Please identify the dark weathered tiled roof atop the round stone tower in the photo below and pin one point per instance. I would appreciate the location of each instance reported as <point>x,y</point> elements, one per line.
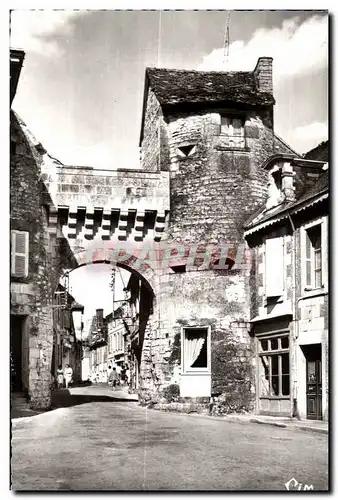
<point>173,86</point>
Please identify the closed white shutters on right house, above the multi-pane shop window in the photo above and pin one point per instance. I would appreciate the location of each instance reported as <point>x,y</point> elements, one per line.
<point>274,267</point>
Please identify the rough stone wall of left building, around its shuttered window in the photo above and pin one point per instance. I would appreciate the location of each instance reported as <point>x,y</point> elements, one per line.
<point>32,296</point>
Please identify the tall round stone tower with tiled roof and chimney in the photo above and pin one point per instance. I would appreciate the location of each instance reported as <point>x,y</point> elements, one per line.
<point>211,131</point>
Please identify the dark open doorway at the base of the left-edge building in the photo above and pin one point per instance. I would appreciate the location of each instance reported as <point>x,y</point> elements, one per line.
<point>16,327</point>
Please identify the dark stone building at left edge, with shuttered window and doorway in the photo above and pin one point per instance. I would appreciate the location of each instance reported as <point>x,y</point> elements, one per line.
<point>39,253</point>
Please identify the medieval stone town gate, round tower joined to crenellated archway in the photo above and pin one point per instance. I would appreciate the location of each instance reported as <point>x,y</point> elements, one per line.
<point>201,179</point>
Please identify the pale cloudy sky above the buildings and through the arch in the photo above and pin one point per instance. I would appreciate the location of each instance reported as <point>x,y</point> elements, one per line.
<point>81,87</point>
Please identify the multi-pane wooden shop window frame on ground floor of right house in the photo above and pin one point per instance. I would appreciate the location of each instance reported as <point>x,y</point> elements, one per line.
<point>277,353</point>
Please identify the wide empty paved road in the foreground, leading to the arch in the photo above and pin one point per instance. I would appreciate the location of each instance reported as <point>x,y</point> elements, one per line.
<point>101,443</point>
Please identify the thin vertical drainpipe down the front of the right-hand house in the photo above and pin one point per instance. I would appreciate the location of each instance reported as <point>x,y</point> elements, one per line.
<point>295,412</point>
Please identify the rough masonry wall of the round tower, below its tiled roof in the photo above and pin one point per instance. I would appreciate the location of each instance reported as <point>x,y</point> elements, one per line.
<point>213,190</point>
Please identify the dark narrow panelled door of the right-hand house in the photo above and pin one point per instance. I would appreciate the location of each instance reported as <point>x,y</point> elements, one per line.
<point>314,382</point>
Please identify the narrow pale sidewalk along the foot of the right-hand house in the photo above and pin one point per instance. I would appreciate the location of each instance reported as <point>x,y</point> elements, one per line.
<point>303,425</point>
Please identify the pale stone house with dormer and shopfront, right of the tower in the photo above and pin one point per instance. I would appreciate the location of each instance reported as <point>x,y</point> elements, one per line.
<point>289,307</point>
